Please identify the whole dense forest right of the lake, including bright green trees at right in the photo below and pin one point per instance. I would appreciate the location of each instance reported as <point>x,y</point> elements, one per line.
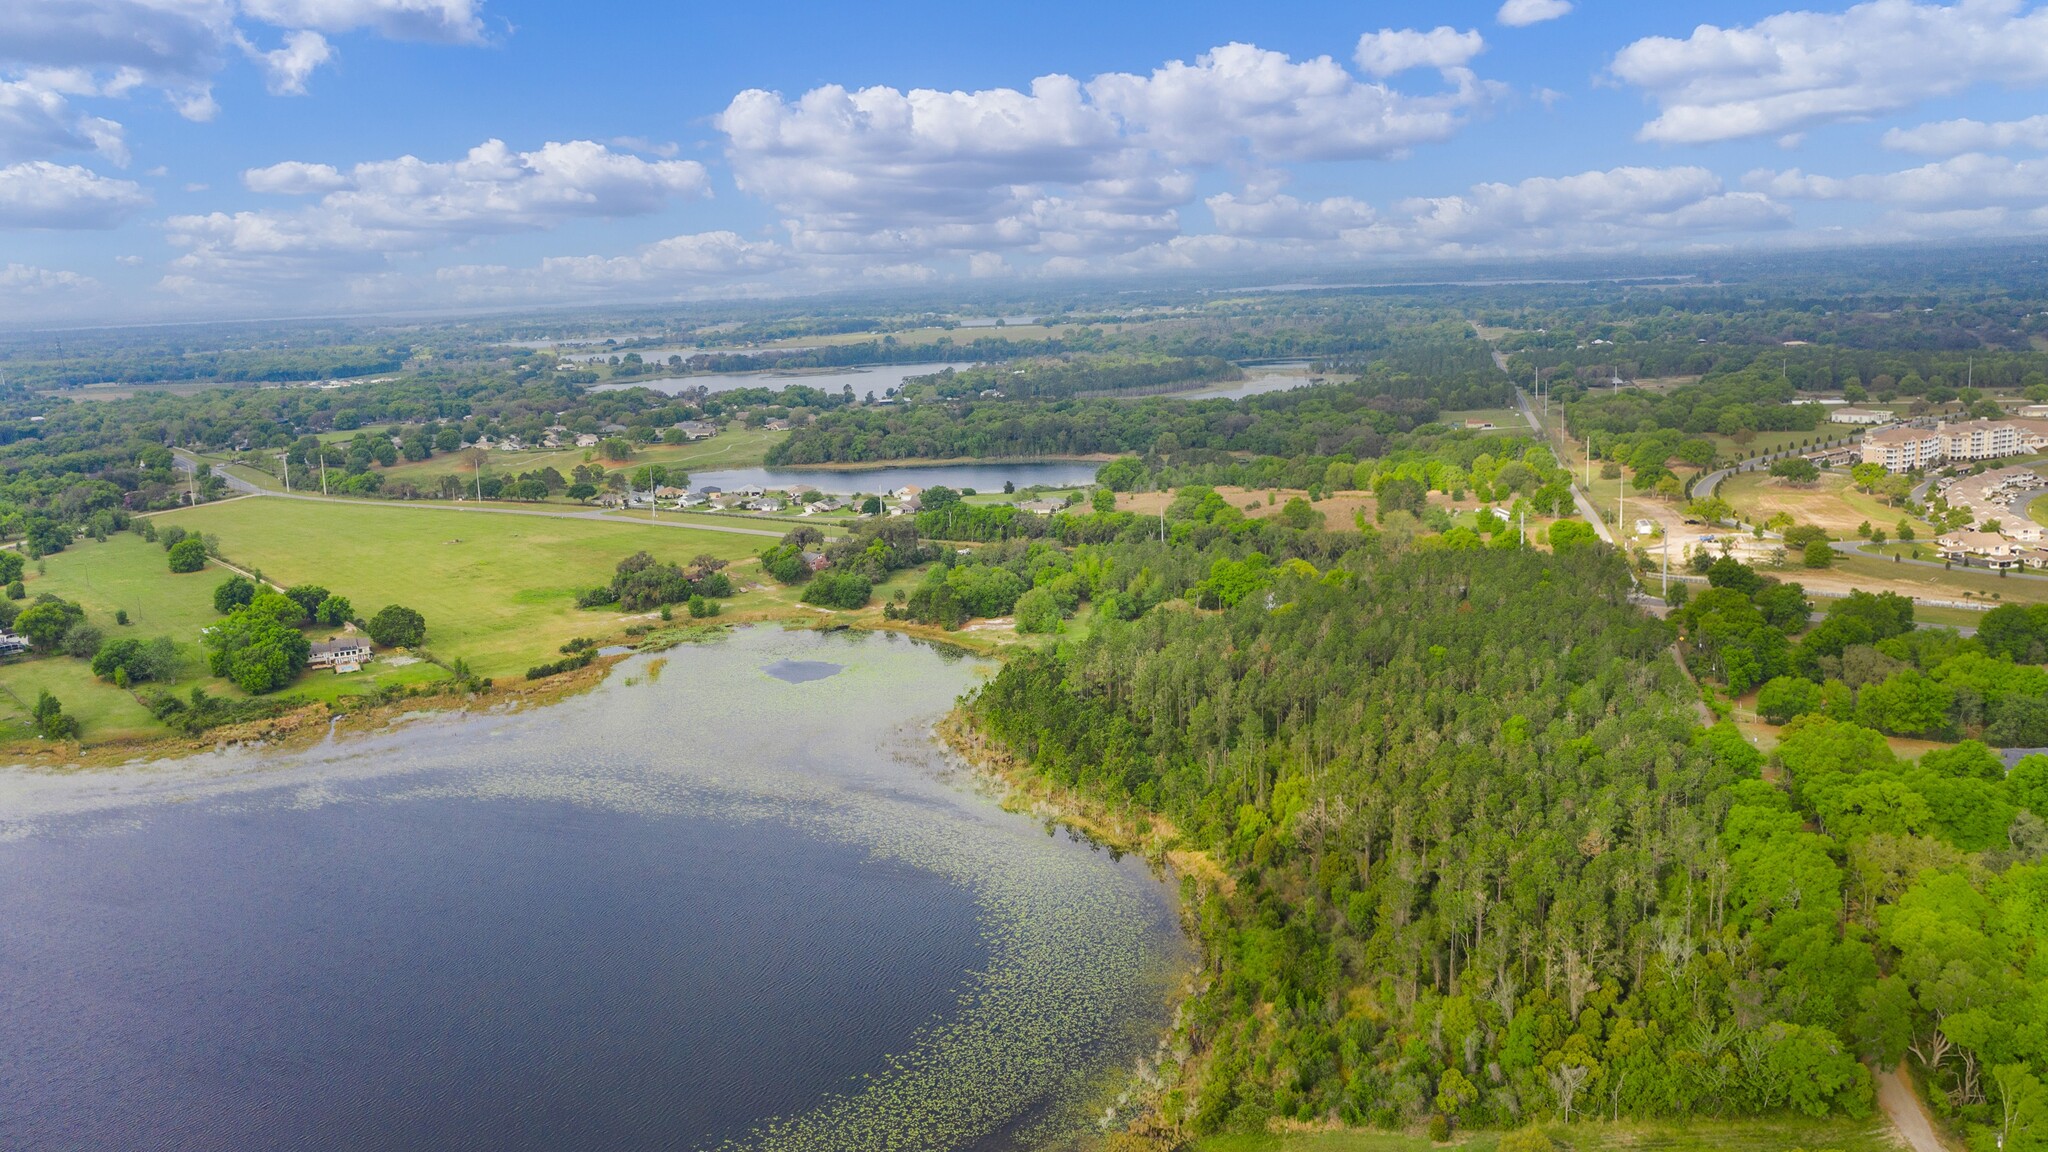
<point>1490,868</point>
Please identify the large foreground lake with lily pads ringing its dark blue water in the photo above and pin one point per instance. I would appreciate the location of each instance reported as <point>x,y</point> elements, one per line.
<point>734,899</point>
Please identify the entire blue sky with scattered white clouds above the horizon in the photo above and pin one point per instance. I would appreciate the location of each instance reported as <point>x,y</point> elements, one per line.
<point>169,159</point>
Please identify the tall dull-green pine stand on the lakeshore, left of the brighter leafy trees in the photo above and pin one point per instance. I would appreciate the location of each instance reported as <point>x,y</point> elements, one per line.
<point>1478,839</point>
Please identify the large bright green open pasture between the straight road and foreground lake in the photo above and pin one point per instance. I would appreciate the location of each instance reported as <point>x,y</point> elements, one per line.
<point>497,589</point>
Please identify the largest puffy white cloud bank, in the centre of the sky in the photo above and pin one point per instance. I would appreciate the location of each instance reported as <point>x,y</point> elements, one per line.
<point>1068,165</point>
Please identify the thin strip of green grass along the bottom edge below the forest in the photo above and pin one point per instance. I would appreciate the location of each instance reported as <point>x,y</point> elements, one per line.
<point>1701,1137</point>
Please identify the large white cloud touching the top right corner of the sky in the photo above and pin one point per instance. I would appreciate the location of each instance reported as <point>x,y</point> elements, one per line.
<point>1797,71</point>
